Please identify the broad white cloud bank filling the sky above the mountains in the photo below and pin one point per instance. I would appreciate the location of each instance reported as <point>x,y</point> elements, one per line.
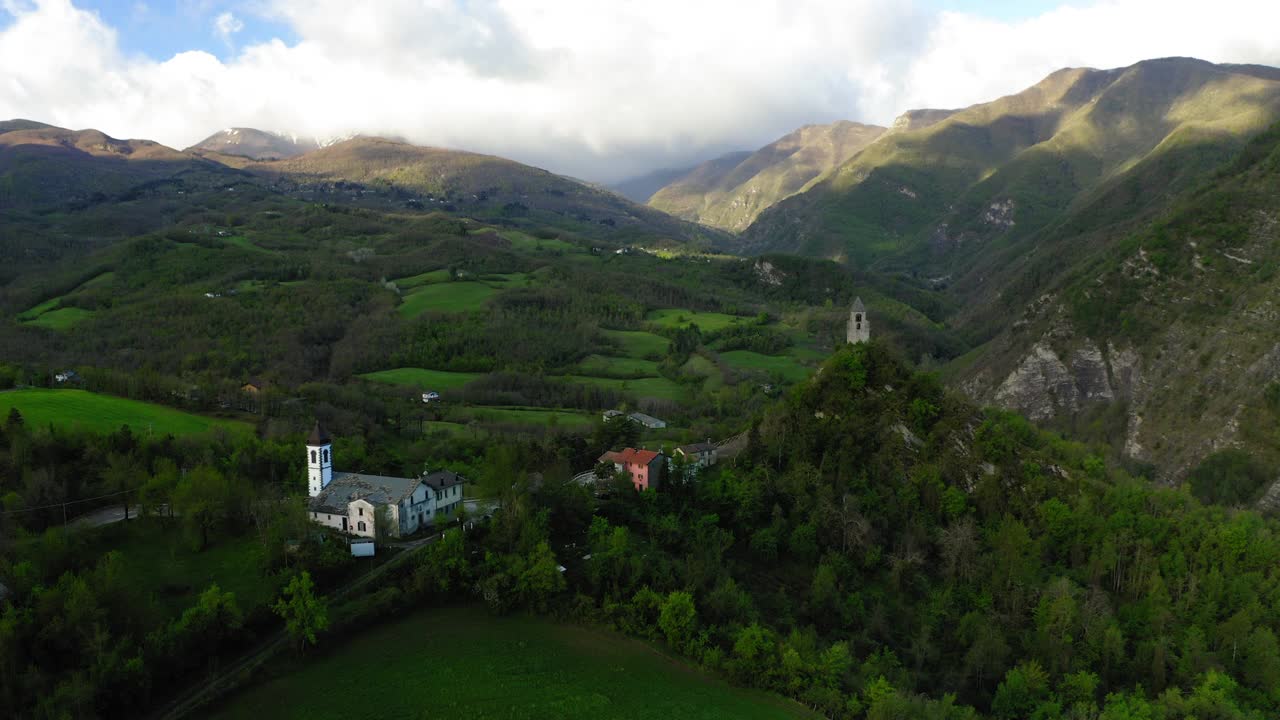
<point>591,88</point>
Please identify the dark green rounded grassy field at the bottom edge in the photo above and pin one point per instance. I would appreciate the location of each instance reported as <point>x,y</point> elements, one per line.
<point>465,664</point>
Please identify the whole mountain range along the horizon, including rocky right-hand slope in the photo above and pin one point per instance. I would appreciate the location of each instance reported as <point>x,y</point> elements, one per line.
<point>1096,252</point>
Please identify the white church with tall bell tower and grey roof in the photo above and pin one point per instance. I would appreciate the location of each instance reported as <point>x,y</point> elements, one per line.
<point>359,503</point>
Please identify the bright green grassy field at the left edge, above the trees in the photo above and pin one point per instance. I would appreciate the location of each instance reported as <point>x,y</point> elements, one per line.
<point>106,413</point>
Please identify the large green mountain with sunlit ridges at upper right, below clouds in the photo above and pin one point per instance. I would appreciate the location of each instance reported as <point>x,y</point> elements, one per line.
<point>930,198</point>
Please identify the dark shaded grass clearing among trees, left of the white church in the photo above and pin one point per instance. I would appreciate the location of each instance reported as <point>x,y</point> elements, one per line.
<point>161,563</point>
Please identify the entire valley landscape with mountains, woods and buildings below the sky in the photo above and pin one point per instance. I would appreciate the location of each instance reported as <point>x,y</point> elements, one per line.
<point>973,416</point>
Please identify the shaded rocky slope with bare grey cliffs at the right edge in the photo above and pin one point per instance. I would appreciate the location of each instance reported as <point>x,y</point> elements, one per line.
<point>1163,341</point>
